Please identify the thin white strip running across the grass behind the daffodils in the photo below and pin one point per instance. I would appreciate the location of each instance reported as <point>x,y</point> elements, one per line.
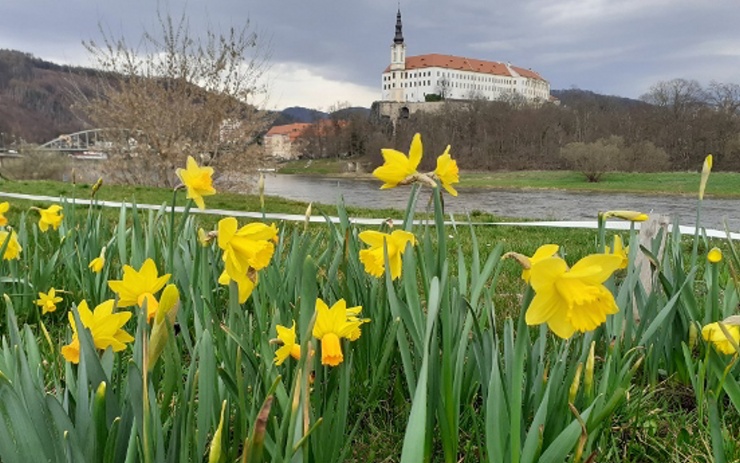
<point>588,224</point>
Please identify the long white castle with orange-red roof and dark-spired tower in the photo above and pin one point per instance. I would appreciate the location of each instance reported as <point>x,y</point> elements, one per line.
<point>412,78</point>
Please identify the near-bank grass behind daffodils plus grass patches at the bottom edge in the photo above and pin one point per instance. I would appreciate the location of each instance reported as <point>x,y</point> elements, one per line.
<point>654,424</point>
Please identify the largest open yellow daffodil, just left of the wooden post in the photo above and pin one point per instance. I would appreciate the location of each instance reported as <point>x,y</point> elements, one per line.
<point>575,299</point>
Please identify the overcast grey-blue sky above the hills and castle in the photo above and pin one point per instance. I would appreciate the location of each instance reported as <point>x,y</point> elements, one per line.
<point>324,52</point>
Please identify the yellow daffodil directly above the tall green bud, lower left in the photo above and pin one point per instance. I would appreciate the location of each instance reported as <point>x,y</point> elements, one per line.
<point>139,286</point>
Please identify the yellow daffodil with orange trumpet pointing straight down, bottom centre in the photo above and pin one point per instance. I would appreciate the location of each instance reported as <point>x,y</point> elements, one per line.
<point>330,327</point>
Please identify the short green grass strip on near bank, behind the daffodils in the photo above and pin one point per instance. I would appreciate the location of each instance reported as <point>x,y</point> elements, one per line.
<point>574,243</point>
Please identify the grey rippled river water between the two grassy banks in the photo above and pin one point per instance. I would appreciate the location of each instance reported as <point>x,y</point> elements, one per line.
<point>523,204</point>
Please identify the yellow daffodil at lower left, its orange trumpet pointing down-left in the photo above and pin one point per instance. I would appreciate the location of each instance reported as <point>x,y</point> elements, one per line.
<point>106,329</point>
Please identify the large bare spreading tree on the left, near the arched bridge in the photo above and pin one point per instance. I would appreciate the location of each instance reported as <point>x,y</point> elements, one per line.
<point>178,94</point>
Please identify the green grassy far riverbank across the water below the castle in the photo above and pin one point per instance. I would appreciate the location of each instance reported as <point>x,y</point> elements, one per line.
<point>721,184</point>
